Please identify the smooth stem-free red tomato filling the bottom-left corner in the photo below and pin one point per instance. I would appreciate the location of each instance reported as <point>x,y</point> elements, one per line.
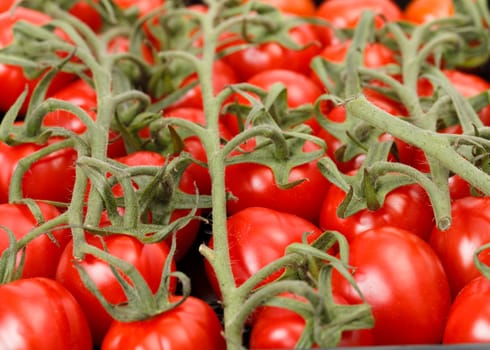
<point>40,312</point>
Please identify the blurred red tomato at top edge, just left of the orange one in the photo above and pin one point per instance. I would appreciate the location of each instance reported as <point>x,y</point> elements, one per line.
<point>346,14</point>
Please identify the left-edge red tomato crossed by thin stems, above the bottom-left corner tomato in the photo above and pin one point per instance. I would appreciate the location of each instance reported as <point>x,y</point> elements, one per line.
<point>42,254</point>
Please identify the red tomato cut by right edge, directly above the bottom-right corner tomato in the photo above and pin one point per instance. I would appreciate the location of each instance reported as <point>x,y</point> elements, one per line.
<point>469,230</point>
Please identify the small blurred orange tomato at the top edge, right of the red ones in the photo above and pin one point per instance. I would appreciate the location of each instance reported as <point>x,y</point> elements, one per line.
<point>420,11</point>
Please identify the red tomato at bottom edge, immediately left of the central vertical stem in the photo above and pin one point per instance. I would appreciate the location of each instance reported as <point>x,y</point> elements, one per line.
<point>191,325</point>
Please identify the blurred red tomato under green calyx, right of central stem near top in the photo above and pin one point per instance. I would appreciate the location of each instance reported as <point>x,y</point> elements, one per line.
<point>271,55</point>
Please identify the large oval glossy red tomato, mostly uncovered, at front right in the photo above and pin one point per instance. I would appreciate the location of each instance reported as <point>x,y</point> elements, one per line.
<point>403,280</point>
